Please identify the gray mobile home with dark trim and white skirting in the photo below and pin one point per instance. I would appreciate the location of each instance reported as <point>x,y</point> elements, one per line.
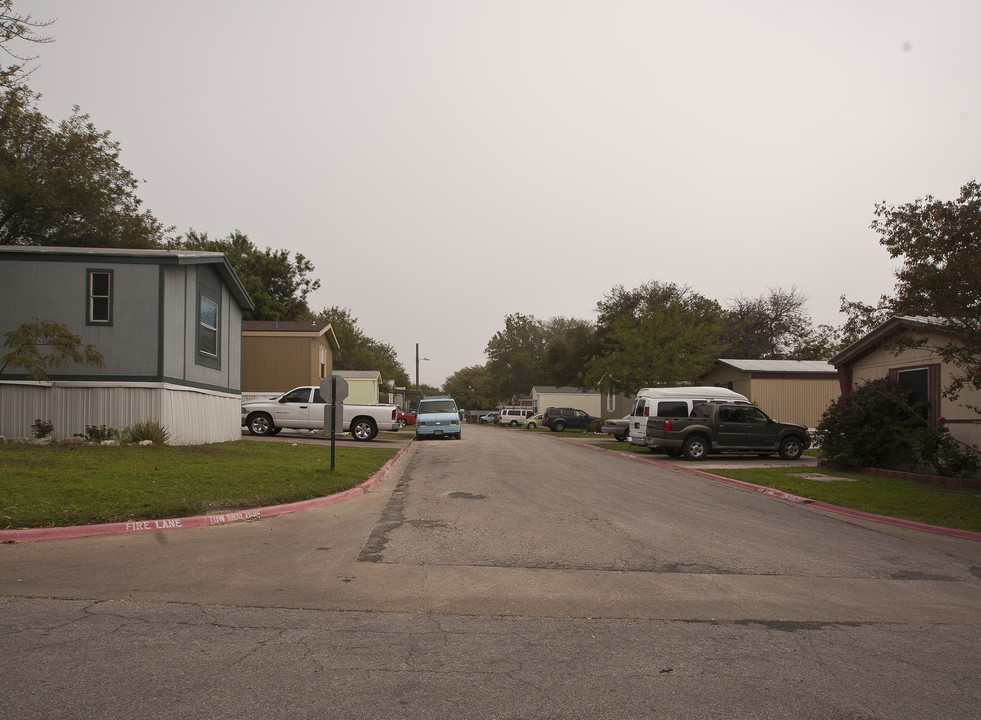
<point>168,324</point>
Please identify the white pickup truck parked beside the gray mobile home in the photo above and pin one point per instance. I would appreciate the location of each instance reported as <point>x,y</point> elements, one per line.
<point>303,407</point>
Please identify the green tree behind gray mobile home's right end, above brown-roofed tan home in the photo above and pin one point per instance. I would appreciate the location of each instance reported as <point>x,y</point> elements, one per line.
<point>278,284</point>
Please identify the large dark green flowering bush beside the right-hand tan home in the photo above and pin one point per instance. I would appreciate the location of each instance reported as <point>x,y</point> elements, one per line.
<point>876,425</point>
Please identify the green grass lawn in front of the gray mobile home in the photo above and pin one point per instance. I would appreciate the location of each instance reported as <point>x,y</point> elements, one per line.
<point>61,485</point>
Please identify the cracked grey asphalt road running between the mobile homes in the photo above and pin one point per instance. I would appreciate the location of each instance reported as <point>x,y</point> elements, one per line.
<point>507,575</point>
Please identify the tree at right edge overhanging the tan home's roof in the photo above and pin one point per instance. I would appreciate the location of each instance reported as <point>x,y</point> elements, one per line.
<point>939,243</point>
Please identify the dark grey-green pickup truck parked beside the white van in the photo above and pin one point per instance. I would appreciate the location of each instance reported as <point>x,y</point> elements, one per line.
<point>726,427</point>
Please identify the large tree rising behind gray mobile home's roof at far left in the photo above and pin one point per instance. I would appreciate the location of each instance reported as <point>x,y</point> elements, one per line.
<point>65,185</point>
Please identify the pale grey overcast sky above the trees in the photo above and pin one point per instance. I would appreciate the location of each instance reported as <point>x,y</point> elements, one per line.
<point>444,163</point>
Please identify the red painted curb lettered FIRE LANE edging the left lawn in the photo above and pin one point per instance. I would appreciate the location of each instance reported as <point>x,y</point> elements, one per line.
<point>64,533</point>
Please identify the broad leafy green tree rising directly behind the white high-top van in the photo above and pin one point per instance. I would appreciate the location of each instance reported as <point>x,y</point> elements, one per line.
<point>656,334</point>
